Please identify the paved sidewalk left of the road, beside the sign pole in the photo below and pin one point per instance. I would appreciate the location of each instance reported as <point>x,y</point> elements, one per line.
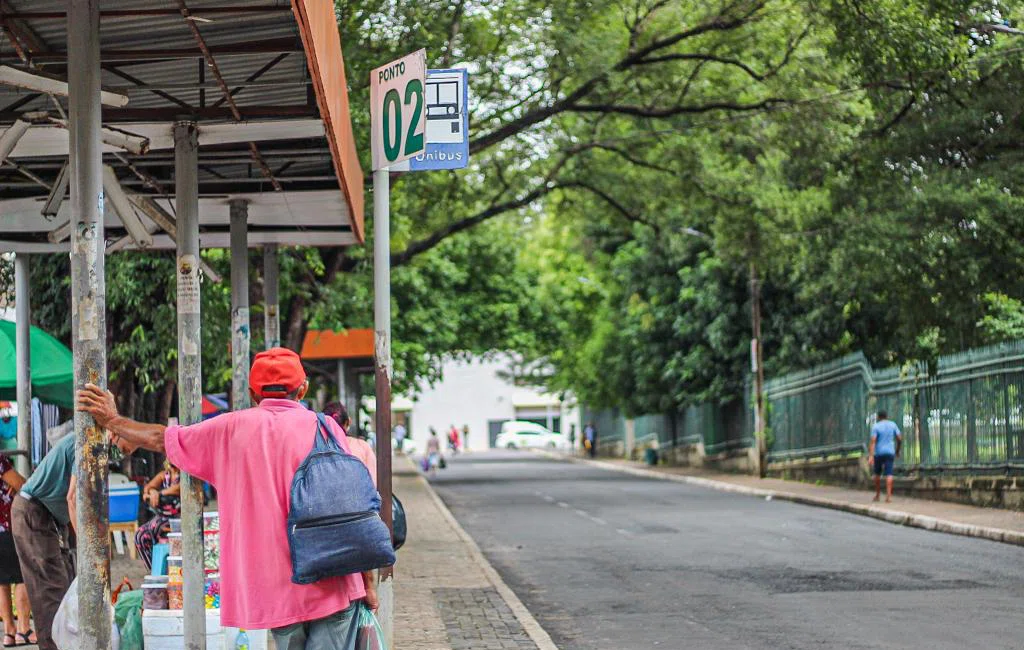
<point>447,595</point>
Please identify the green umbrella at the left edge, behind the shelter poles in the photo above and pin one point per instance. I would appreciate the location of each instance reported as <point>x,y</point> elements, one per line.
<point>53,367</point>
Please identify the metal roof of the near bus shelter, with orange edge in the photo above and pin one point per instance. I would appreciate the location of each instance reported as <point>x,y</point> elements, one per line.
<point>280,138</point>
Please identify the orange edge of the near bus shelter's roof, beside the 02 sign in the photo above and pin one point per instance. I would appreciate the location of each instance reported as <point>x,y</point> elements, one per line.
<point>321,40</point>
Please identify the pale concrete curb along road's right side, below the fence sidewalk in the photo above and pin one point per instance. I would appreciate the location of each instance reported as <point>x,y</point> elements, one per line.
<point>897,517</point>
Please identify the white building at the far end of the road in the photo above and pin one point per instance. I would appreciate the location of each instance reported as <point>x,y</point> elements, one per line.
<point>478,394</point>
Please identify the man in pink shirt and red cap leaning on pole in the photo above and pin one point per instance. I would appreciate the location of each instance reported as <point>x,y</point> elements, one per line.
<point>251,457</point>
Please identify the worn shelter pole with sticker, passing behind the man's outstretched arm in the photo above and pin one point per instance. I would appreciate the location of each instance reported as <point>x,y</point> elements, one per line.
<point>190,373</point>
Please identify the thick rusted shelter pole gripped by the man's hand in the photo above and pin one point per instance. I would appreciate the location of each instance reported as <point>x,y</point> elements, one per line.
<point>89,320</point>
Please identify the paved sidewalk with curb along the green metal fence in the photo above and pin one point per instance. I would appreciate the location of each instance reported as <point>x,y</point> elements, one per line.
<point>989,524</point>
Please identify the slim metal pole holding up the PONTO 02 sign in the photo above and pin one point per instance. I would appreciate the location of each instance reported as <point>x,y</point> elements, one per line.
<point>382,376</point>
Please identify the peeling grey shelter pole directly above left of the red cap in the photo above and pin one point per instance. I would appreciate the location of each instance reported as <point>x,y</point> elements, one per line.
<point>240,305</point>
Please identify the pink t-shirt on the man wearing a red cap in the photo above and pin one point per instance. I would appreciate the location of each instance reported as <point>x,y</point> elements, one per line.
<point>251,457</point>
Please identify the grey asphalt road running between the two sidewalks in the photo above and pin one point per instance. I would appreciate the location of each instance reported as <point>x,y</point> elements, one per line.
<point>610,561</point>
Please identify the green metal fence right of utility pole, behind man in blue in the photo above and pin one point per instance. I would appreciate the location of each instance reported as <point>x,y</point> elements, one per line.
<point>968,414</point>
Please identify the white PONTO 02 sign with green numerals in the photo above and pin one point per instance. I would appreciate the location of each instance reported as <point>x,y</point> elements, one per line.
<point>398,110</point>
